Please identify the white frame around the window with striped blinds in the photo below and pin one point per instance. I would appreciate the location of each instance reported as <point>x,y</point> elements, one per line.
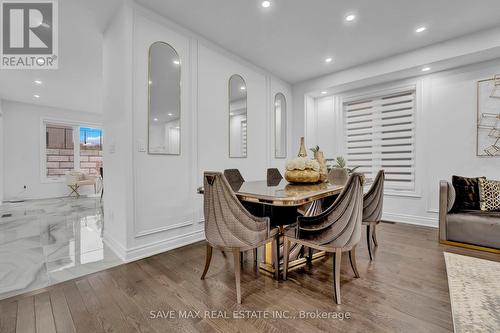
<point>382,90</point>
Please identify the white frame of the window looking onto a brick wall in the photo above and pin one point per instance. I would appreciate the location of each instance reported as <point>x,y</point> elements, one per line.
<point>76,125</point>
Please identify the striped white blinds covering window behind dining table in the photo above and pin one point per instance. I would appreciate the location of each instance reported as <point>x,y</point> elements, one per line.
<point>380,134</point>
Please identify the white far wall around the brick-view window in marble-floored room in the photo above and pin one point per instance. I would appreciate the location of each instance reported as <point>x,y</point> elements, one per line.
<point>23,133</point>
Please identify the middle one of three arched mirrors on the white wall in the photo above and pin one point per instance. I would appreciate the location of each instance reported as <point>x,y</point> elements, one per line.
<point>237,117</point>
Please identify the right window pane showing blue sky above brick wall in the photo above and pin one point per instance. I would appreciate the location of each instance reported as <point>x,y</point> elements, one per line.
<point>90,150</point>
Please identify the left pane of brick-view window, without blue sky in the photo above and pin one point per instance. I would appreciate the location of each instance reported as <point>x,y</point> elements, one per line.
<point>60,150</point>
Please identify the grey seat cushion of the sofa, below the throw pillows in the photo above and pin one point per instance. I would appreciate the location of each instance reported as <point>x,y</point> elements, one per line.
<point>474,227</point>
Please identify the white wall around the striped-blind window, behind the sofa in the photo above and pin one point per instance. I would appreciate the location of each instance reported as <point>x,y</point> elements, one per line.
<point>445,134</point>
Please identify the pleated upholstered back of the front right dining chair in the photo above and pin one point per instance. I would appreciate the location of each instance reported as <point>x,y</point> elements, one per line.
<point>339,225</point>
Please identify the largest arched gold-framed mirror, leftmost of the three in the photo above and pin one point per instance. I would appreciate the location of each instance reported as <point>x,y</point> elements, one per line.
<point>164,112</point>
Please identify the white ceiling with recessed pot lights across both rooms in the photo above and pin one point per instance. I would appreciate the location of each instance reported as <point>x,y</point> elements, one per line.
<point>290,39</point>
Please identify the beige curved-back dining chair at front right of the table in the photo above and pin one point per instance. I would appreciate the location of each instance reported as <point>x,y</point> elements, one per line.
<point>336,230</point>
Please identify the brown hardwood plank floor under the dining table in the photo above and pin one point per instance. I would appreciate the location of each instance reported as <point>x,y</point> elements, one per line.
<point>404,289</point>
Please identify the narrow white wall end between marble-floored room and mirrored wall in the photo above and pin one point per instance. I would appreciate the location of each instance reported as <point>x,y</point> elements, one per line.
<point>118,133</point>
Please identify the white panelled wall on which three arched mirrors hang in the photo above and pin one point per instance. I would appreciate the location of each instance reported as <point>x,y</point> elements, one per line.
<point>162,208</point>
